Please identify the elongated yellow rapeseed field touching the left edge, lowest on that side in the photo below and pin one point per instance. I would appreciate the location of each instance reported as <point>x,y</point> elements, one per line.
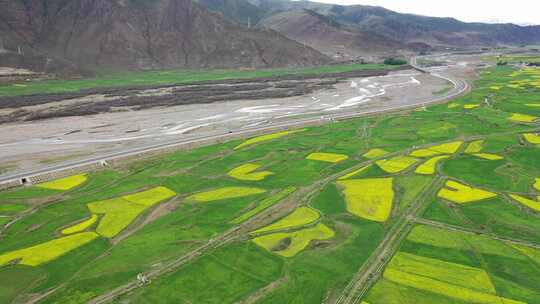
<point>48,251</point>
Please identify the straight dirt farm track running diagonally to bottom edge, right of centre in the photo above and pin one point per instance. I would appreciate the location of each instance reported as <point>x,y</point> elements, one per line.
<point>372,268</point>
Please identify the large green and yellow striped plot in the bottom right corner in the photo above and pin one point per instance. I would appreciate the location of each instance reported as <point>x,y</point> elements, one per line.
<point>444,274</point>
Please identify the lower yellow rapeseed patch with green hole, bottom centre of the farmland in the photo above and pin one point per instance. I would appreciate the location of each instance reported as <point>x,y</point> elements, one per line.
<point>299,240</point>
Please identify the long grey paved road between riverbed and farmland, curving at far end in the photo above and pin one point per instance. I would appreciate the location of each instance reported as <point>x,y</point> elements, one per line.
<point>460,87</point>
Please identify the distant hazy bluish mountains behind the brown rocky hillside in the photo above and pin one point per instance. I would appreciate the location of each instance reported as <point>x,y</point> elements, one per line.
<point>367,25</point>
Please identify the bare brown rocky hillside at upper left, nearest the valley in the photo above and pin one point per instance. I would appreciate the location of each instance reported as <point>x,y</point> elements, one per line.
<point>138,34</point>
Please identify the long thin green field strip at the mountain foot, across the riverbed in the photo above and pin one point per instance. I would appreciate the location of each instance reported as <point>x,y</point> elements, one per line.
<point>167,77</point>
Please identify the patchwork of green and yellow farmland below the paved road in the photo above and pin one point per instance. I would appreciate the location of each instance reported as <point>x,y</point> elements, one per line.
<point>436,205</point>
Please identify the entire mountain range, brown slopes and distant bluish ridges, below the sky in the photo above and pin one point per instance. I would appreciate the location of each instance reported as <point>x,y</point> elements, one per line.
<point>94,35</point>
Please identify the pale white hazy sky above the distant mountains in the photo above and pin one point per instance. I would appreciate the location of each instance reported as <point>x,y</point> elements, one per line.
<point>516,11</point>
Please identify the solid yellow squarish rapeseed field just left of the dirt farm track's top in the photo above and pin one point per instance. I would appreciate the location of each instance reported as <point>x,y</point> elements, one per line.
<point>369,198</point>
